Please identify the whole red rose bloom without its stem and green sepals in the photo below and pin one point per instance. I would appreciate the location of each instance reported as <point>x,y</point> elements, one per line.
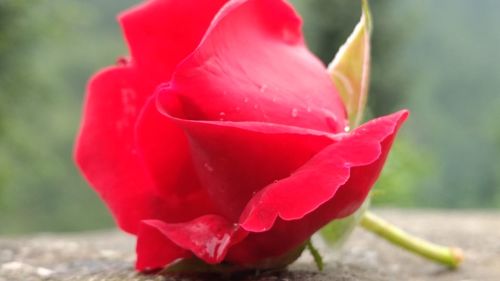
<point>222,137</point>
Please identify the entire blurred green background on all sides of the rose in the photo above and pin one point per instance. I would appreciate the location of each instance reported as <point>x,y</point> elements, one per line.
<point>439,58</point>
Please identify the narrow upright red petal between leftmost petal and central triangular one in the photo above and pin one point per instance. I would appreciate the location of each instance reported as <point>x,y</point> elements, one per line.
<point>164,148</point>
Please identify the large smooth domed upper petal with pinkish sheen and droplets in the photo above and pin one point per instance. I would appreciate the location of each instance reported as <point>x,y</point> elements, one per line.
<point>252,65</point>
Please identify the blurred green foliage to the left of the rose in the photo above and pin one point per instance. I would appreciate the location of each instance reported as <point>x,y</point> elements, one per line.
<point>48,49</point>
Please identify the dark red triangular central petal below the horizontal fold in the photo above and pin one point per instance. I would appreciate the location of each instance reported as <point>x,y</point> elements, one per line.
<point>234,160</point>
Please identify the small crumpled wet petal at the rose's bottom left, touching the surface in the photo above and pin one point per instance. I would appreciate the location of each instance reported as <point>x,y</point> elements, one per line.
<point>208,237</point>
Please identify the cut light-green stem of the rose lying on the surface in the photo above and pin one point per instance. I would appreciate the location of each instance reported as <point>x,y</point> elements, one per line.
<point>448,256</point>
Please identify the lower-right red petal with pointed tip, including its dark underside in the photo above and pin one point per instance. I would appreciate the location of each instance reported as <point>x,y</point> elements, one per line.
<point>333,184</point>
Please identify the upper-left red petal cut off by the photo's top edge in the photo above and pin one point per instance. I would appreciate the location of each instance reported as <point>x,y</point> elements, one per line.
<point>160,35</point>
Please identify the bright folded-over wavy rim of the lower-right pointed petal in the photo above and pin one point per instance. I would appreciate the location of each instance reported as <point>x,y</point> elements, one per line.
<point>359,148</point>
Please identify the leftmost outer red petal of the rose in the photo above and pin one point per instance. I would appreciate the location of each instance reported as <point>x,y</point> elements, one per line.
<point>105,150</point>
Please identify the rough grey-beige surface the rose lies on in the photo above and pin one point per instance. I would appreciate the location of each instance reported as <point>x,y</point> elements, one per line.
<point>109,255</point>
